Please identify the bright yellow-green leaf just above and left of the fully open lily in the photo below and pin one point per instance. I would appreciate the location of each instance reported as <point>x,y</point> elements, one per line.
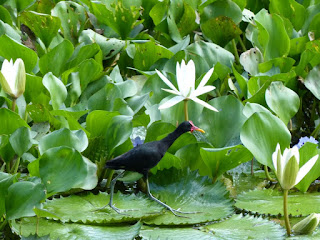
<point>148,53</point>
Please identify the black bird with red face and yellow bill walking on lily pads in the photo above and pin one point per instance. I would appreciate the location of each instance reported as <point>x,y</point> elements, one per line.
<point>144,157</point>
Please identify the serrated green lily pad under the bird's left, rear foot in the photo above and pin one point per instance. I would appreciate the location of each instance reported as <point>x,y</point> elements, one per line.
<point>86,209</point>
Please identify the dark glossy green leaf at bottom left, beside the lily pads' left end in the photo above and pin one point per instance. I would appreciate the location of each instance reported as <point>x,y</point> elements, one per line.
<point>22,198</point>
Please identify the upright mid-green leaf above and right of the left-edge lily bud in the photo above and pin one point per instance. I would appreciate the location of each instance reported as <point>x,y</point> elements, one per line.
<point>54,61</point>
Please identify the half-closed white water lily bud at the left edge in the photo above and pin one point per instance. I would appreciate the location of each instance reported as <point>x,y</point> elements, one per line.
<point>13,77</point>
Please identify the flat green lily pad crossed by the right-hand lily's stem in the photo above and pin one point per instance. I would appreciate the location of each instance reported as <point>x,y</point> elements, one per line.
<point>270,201</point>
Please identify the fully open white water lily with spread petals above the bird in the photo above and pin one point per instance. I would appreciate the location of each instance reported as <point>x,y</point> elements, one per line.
<point>186,84</point>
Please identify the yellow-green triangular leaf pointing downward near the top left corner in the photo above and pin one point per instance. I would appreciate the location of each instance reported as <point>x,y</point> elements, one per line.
<point>44,26</point>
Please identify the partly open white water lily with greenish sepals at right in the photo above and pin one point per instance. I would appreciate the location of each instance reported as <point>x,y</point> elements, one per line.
<point>287,167</point>
